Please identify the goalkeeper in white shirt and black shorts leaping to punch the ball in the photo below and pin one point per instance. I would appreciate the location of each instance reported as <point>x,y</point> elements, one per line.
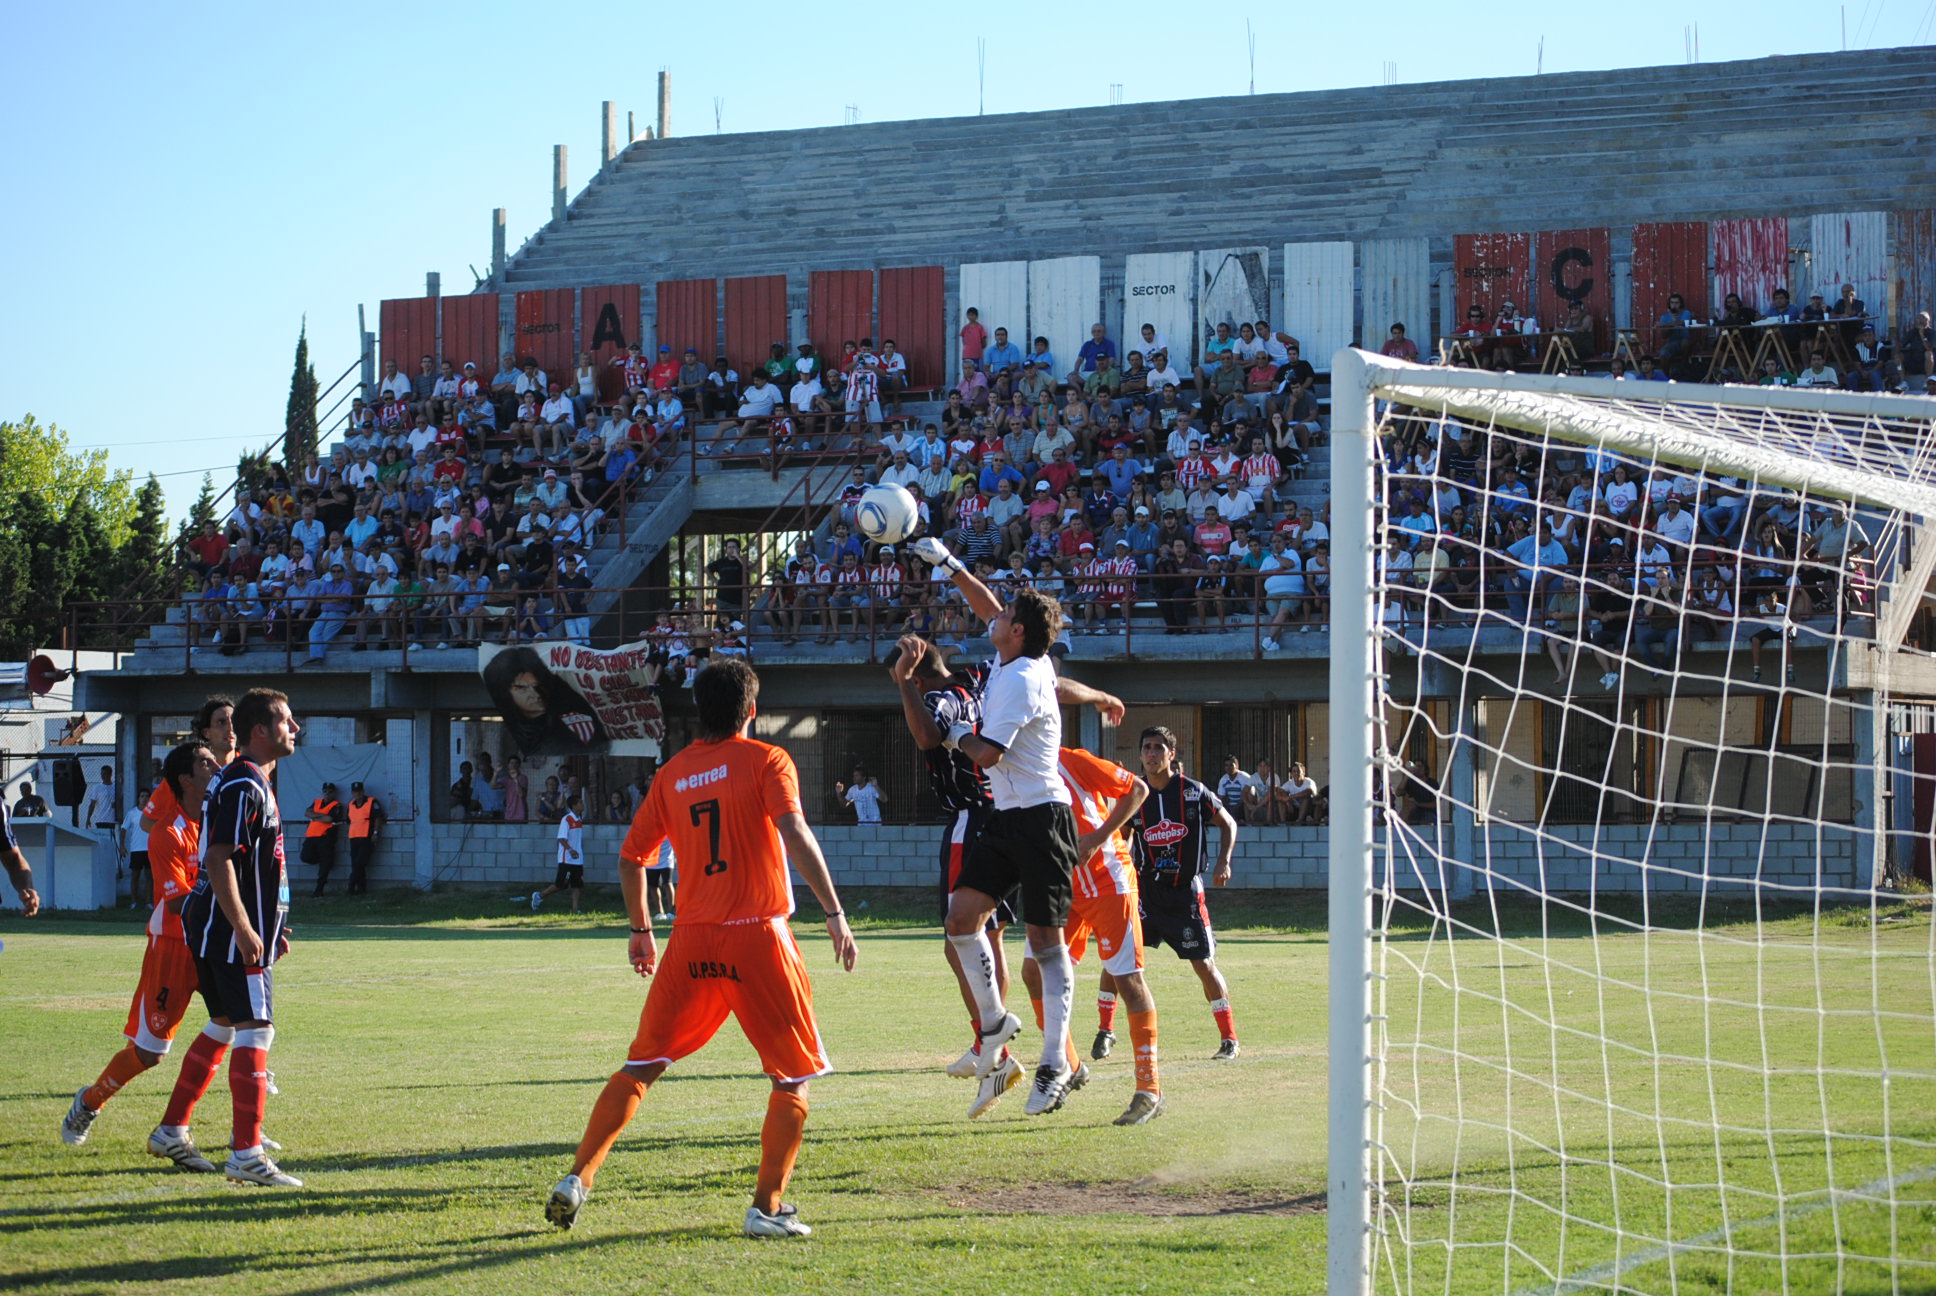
<point>1031,836</point>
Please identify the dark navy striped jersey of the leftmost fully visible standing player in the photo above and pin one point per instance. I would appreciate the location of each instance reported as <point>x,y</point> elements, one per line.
<point>241,813</point>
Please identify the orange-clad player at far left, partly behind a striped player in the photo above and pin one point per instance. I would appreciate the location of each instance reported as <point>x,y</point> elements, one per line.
<point>167,972</point>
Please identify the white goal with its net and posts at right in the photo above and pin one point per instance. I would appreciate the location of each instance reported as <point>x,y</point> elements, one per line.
<point>1633,968</point>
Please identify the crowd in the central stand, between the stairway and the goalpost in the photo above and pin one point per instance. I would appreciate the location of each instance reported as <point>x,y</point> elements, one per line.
<point>1114,483</point>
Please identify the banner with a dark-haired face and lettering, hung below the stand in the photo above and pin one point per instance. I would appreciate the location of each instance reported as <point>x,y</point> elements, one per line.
<point>562,700</point>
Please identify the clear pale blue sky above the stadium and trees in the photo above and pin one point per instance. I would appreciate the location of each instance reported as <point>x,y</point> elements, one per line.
<point>187,187</point>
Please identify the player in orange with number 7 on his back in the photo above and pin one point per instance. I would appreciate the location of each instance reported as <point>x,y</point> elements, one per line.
<point>733,813</point>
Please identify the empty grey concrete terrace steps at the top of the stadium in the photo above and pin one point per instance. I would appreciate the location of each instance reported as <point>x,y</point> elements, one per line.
<point>1377,162</point>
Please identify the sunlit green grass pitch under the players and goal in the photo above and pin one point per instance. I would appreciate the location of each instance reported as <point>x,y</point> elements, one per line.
<point>439,1057</point>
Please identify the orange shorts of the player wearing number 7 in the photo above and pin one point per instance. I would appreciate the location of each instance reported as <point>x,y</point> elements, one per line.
<point>752,972</point>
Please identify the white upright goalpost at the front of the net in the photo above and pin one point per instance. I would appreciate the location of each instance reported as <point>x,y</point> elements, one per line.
<point>1354,667</point>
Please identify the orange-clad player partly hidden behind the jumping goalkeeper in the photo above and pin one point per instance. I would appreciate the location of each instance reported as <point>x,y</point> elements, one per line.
<point>1106,799</point>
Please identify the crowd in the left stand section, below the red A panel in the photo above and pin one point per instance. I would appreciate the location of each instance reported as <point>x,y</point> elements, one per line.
<point>454,510</point>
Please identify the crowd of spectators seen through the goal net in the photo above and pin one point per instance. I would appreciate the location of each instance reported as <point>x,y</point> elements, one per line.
<point>1600,553</point>
